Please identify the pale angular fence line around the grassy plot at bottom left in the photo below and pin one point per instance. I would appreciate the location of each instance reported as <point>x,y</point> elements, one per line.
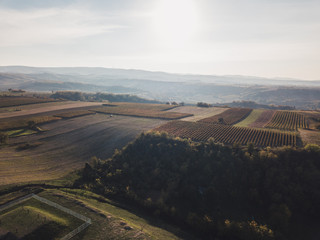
<point>55,205</point>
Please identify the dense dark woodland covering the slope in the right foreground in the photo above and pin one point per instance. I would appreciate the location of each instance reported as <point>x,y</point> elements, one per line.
<point>216,191</point>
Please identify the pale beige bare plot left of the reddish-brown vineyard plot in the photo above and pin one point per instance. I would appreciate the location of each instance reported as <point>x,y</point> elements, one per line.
<point>198,112</point>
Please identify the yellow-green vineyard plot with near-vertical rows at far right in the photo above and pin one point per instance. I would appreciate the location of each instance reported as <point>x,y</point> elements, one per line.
<point>287,120</point>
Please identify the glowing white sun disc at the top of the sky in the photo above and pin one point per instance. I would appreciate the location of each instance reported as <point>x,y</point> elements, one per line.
<point>175,21</point>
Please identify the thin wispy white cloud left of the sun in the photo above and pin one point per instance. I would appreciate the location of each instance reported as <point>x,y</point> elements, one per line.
<point>50,26</point>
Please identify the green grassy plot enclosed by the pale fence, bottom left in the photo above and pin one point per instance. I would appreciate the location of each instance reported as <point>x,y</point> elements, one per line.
<point>33,219</point>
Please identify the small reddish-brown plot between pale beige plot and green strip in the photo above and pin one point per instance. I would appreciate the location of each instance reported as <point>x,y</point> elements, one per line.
<point>229,117</point>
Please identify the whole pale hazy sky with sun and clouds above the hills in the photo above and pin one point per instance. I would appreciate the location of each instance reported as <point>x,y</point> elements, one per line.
<point>266,38</point>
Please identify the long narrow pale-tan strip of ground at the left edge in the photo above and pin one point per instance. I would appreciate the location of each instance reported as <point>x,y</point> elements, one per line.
<point>48,109</point>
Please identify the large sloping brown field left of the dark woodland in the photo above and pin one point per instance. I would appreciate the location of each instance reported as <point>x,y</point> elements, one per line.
<point>67,145</point>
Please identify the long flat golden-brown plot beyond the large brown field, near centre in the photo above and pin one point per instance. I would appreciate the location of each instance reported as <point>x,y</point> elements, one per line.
<point>142,110</point>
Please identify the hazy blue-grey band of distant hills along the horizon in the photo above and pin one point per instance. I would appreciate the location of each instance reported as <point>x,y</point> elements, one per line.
<point>165,86</point>
